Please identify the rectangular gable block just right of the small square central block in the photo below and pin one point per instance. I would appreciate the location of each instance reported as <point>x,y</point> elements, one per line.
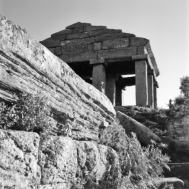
<point>115,44</point>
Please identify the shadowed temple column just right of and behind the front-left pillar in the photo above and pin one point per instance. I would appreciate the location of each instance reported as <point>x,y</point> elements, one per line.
<point>111,89</point>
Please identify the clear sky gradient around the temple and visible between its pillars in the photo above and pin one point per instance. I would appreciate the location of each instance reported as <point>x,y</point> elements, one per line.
<point>164,22</point>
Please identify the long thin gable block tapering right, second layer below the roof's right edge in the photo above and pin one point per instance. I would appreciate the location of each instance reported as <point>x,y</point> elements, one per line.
<point>112,36</point>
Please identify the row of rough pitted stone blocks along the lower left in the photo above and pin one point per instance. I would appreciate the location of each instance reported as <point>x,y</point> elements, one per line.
<point>28,161</point>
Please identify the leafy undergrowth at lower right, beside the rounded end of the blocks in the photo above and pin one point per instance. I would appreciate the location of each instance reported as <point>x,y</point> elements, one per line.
<point>139,165</point>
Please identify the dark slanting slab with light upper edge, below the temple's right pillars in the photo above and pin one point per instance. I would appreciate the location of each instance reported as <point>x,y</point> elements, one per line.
<point>143,134</point>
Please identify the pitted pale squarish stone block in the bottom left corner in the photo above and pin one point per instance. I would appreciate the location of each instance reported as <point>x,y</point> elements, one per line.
<point>19,167</point>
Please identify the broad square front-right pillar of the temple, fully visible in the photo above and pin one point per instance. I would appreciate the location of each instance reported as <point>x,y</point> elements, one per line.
<point>141,83</point>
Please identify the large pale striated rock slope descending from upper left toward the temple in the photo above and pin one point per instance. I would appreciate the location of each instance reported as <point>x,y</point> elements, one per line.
<point>27,66</point>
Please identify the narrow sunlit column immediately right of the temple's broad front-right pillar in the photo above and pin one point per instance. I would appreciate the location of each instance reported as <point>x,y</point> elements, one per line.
<point>151,90</point>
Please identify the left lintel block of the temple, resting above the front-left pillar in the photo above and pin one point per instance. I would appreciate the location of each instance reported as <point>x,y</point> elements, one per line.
<point>79,57</point>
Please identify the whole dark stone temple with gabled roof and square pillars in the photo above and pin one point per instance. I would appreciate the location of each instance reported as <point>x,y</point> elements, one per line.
<point>103,56</point>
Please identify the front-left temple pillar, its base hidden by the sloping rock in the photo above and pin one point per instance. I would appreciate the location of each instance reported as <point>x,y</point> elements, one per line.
<point>99,77</point>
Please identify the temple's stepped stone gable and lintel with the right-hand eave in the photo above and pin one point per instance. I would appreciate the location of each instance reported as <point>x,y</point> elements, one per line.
<point>81,42</point>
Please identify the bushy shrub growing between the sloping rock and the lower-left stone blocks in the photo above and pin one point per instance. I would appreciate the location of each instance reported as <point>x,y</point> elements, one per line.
<point>29,113</point>
